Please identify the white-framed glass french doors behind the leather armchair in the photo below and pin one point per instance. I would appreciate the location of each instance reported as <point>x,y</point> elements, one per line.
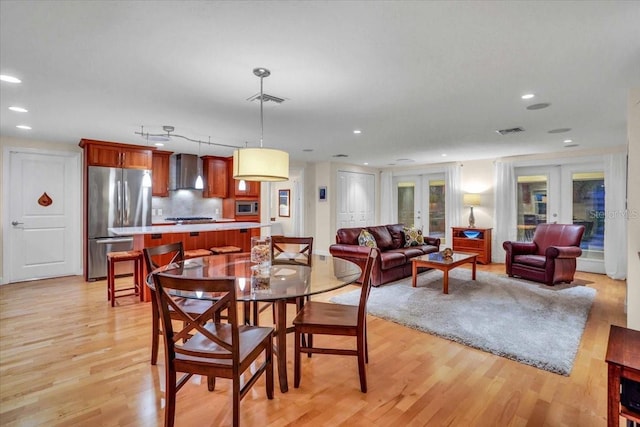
<point>568,194</point>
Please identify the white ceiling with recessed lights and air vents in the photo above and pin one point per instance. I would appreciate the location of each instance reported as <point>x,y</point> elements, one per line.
<point>420,79</point>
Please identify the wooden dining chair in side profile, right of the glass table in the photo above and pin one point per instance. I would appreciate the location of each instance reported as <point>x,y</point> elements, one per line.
<point>335,319</point>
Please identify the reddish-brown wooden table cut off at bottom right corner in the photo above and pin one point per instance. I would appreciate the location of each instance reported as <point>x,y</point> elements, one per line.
<point>623,360</point>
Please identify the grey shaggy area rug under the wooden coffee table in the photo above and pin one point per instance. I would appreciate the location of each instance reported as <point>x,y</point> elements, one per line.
<point>524,321</point>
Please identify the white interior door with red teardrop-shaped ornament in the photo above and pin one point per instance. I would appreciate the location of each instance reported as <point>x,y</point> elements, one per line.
<point>43,223</point>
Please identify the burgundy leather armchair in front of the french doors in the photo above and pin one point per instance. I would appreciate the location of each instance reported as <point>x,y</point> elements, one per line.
<point>550,258</point>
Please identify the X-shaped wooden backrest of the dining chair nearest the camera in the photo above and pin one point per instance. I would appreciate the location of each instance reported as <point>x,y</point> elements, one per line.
<point>222,341</point>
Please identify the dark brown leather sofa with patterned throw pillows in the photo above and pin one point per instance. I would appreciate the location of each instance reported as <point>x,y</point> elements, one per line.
<point>394,261</point>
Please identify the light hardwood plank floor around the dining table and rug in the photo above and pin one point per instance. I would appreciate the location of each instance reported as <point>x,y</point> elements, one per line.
<point>68,359</point>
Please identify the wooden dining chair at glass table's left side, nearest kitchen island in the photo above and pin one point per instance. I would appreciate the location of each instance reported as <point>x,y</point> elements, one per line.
<point>155,257</point>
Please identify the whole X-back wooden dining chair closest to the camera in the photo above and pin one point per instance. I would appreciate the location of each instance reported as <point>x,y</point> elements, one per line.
<point>212,349</point>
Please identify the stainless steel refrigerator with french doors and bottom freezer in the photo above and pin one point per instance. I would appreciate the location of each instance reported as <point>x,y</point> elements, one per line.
<point>115,198</point>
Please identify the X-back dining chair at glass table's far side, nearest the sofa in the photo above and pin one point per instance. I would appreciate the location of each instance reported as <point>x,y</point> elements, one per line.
<point>287,250</point>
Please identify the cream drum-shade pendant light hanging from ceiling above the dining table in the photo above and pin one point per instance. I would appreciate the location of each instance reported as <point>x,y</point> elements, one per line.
<point>261,164</point>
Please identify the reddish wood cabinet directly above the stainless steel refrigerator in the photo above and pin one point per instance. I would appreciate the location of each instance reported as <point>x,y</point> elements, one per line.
<point>112,154</point>
